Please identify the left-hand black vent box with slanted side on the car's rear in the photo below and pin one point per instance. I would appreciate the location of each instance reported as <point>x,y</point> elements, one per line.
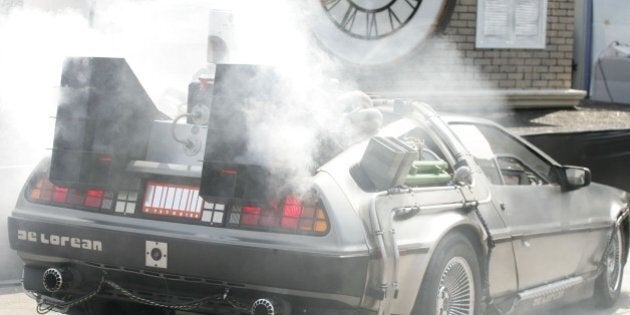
<point>103,119</point>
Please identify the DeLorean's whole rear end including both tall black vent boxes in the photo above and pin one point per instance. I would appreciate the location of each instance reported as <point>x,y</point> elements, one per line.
<point>180,216</point>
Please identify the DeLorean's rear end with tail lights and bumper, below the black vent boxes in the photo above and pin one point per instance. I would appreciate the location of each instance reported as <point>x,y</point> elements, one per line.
<point>155,241</point>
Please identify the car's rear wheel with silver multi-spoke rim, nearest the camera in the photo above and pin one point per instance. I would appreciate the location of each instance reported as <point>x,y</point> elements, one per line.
<point>454,259</point>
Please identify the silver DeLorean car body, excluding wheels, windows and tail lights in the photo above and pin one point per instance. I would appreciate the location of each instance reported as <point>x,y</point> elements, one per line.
<point>545,243</point>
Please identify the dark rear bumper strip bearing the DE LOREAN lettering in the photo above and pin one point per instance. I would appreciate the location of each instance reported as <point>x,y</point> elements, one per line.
<point>222,262</point>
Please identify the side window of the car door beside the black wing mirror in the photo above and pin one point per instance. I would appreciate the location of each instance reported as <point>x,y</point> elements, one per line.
<point>503,158</point>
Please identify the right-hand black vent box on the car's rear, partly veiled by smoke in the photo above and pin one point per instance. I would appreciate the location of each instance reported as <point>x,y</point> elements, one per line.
<point>228,170</point>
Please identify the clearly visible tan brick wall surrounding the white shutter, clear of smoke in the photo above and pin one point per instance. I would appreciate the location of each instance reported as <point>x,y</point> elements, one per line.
<point>520,68</point>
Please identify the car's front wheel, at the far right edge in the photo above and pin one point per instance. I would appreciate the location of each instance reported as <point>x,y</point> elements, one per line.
<point>608,284</point>
